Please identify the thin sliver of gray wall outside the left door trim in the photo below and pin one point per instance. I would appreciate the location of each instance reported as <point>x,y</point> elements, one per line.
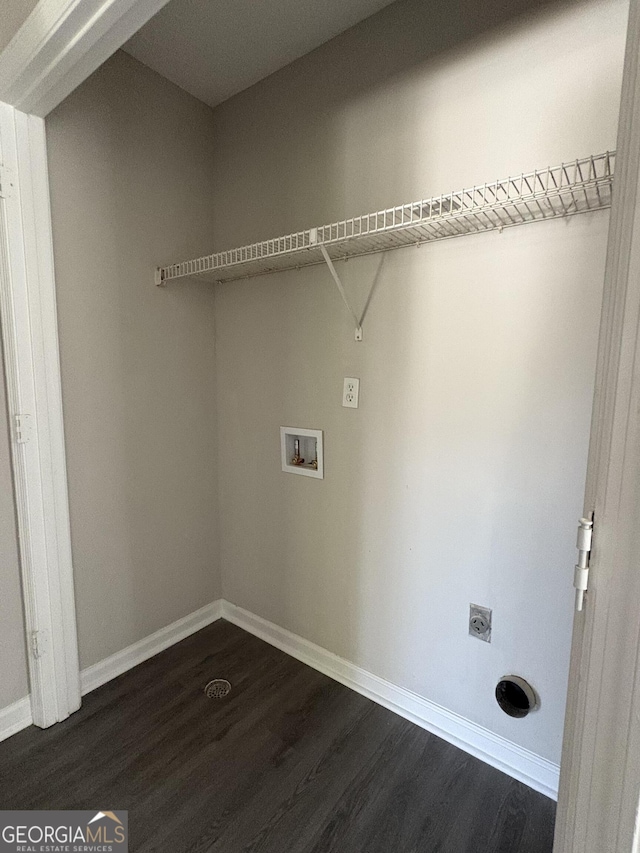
<point>14,683</point>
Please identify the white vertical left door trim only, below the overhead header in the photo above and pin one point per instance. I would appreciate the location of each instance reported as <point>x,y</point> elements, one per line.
<point>30,340</point>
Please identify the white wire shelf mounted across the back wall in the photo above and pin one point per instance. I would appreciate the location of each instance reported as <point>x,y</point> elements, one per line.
<point>580,186</point>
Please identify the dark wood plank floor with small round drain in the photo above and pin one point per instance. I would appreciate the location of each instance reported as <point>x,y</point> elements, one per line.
<point>289,762</point>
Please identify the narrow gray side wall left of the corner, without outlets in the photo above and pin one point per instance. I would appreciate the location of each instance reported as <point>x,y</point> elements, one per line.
<point>131,176</point>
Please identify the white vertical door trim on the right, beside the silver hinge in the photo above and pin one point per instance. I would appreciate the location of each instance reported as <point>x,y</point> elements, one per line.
<point>600,772</point>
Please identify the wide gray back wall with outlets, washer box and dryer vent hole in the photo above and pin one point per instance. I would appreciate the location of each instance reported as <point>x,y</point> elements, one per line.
<point>460,477</point>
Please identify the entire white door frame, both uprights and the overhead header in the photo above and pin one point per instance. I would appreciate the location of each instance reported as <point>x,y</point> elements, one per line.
<point>60,45</point>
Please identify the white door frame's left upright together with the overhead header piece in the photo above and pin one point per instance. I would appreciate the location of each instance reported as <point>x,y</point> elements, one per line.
<point>60,44</point>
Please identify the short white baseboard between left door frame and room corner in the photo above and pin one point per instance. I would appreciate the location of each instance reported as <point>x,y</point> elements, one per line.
<point>113,666</point>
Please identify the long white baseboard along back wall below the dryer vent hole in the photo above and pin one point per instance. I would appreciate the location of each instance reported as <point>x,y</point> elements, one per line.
<point>536,772</point>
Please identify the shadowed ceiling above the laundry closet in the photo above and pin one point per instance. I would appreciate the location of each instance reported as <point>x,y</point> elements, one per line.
<point>216,48</point>
